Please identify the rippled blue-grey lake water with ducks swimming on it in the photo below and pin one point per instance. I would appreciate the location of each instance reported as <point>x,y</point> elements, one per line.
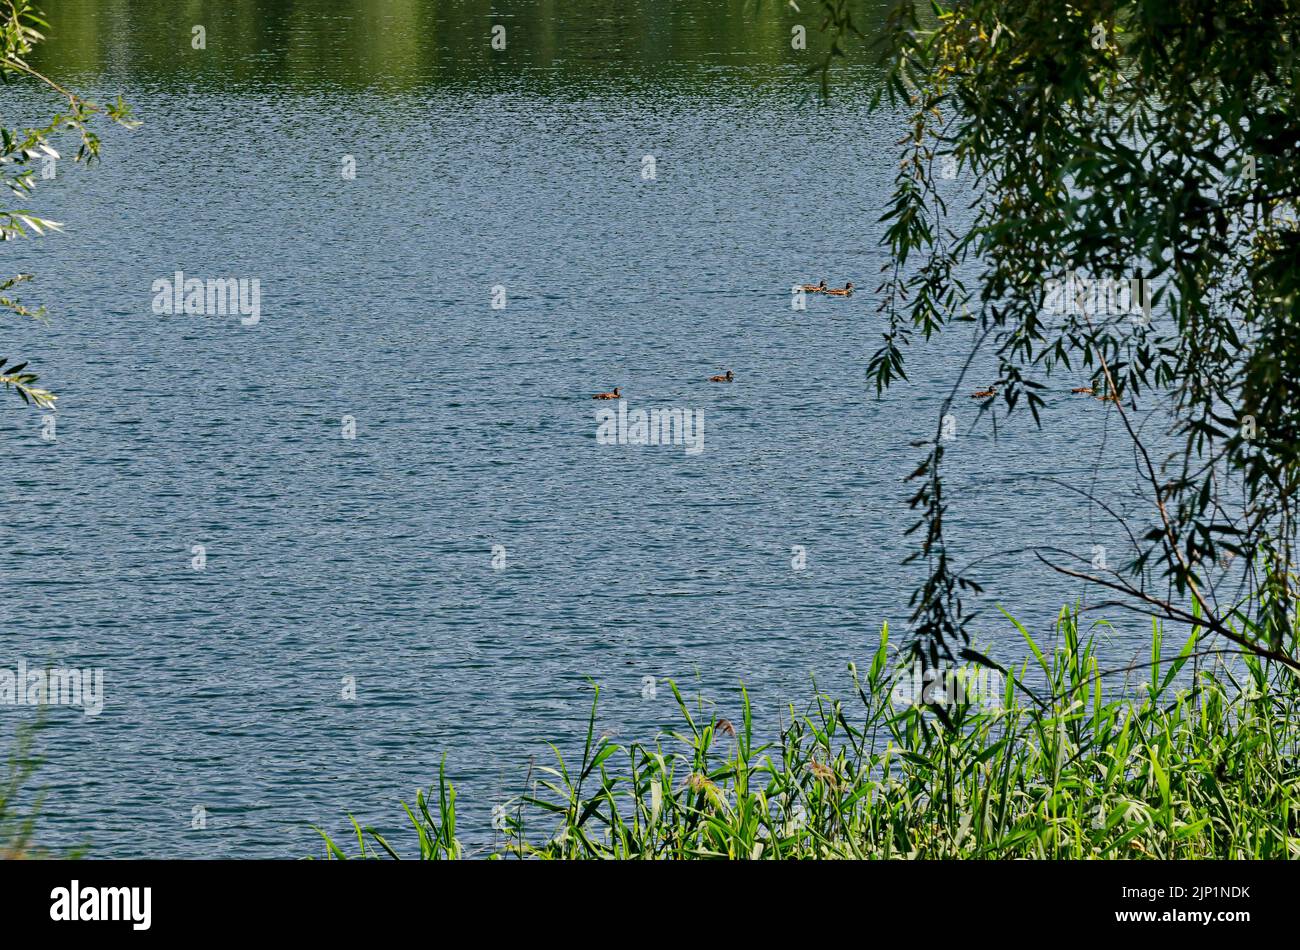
<point>333,561</point>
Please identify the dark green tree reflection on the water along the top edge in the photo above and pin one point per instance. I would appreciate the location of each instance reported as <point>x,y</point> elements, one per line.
<point>422,44</point>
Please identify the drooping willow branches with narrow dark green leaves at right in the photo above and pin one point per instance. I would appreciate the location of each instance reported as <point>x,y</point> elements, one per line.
<point>1119,141</point>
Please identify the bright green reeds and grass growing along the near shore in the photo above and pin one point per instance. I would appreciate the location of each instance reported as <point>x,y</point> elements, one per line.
<point>1193,764</point>
